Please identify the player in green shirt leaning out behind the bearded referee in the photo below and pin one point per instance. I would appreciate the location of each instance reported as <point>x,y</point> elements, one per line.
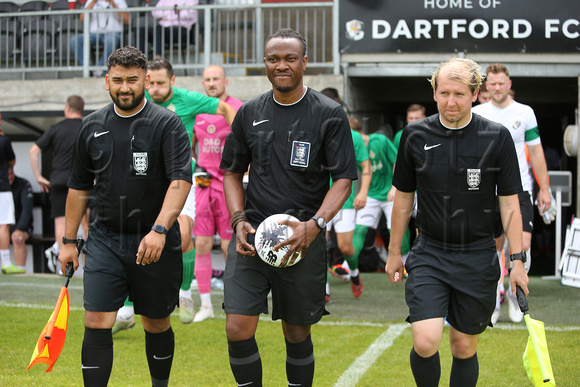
<point>187,105</point>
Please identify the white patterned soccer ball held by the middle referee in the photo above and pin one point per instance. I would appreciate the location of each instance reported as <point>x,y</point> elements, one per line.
<point>269,234</point>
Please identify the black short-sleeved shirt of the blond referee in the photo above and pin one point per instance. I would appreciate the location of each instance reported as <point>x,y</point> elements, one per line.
<point>455,173</point>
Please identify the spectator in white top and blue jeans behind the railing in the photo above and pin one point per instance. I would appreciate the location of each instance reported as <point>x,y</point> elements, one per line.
<point>105,30</point>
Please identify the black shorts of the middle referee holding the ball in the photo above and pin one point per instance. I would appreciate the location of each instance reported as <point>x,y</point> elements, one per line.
<point>297,291</point>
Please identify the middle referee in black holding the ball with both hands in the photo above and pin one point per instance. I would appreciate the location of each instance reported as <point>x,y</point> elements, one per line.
<point>295,139</point>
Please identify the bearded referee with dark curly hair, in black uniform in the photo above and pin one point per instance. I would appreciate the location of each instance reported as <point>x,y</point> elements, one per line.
<point>139,155</point>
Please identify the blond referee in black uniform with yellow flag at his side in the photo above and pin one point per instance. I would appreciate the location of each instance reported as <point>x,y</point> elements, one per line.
<point>455,160</point>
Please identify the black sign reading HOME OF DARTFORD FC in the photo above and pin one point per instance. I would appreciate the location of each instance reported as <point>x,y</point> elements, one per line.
<point>518,26</point>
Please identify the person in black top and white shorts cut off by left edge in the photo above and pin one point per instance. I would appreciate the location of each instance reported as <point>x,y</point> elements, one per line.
<point>7,159</point>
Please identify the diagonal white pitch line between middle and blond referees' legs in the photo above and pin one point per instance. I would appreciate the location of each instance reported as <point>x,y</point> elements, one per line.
<point>360,366</point>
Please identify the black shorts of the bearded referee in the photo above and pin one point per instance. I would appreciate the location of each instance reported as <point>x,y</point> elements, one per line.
<point>110,273</point>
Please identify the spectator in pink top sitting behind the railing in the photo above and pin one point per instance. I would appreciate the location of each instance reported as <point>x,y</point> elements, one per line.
<point>172,26</point>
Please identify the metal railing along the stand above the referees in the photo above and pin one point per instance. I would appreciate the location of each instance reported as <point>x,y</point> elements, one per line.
<point>38,44</point>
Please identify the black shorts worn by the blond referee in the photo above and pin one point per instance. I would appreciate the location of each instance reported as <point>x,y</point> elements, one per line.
<point>459,284</point>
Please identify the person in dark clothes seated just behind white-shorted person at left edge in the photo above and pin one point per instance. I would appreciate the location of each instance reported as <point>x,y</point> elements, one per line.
<point>21,231</point>
